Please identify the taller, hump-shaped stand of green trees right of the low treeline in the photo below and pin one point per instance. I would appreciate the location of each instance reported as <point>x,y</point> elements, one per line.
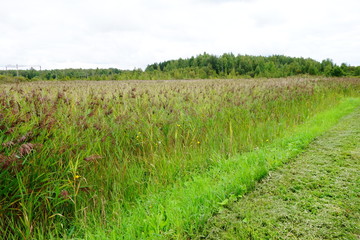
<point>206,65</point>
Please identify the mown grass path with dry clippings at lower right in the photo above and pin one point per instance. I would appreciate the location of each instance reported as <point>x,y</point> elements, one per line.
<point>315,196</point>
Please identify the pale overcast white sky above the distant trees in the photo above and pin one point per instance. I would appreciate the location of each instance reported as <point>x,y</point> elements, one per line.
<point>134,33</point>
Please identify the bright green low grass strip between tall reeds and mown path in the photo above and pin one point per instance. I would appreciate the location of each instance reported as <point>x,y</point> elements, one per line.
<point>182,211</point>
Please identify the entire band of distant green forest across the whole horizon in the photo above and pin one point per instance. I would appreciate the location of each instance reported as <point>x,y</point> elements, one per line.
<point>203,66</point>
